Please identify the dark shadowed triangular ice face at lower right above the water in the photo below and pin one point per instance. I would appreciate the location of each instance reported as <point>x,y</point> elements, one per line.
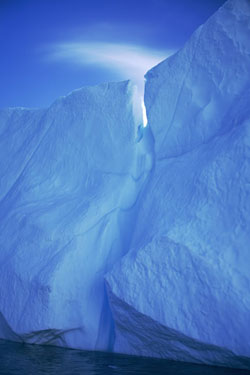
<point>140,335</point>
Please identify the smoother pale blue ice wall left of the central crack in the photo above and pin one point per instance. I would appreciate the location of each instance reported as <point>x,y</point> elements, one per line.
<point>68,185</point>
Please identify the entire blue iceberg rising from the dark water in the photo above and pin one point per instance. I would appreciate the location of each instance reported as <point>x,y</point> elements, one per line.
<point>135,239</point>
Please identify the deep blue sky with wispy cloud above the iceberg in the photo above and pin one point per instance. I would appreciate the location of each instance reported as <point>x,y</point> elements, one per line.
<point>50,47</point>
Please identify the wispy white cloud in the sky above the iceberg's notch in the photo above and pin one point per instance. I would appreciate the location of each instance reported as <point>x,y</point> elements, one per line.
<point>127,60</point>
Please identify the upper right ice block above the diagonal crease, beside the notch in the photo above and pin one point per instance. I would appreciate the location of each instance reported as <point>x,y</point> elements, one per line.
<point>203,90</point>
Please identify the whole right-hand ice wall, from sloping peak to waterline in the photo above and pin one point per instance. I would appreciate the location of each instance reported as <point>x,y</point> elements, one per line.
<point>187,273</point>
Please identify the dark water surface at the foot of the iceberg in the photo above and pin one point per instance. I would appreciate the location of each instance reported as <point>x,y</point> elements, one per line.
<point>23,359</point>
